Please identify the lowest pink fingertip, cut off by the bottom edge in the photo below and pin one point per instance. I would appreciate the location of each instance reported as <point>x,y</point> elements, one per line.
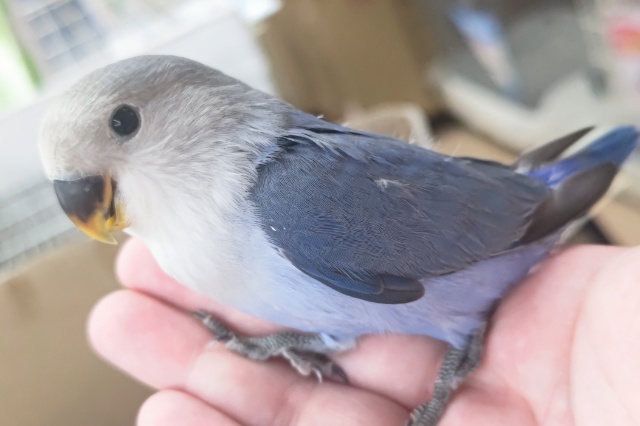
<point>171,408</point>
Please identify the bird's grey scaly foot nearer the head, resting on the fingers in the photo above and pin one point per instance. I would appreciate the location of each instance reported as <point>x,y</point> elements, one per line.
<point>305,352</point>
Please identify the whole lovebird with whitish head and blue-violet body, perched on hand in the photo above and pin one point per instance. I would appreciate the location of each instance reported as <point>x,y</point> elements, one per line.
<point>330,232</point>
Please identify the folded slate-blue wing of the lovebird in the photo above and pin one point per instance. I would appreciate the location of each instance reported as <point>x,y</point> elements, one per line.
<point>371,216</point>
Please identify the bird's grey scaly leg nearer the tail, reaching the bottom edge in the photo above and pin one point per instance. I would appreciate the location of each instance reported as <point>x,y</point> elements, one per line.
<point>456,366</point>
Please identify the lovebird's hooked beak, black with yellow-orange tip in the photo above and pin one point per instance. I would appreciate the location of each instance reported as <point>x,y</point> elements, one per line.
<point>92,206</point>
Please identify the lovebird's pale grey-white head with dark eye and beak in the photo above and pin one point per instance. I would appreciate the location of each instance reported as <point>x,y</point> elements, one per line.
<point>127,135</point>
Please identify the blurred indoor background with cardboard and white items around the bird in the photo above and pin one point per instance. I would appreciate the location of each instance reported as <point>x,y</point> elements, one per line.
<point>488,78</point>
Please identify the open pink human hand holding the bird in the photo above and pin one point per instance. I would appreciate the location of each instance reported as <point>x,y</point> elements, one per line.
<point>559,353</point>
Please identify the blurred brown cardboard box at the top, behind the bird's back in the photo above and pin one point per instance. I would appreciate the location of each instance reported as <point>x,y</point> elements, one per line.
<point>327,54</point>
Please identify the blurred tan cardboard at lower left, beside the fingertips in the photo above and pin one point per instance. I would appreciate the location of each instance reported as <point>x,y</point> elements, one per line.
<point>48,374</point>
